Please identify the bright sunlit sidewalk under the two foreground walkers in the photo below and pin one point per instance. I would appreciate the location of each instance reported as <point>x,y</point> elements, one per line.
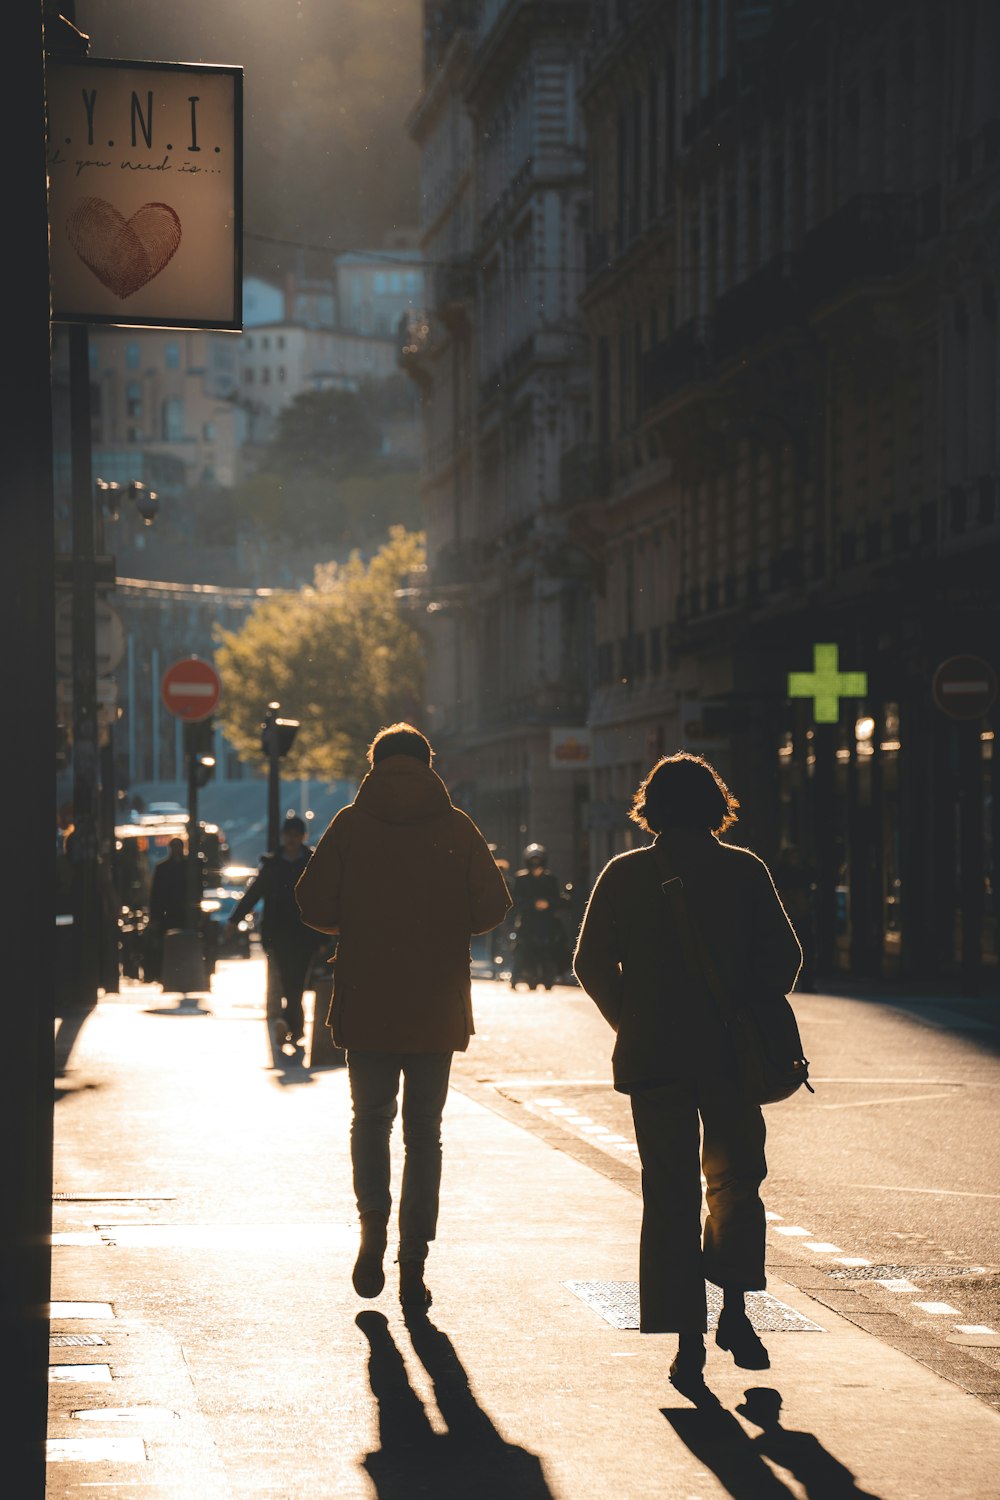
<point>208,1342</point>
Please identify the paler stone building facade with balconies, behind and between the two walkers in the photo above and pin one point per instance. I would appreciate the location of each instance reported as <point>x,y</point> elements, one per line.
<point>501,362</point>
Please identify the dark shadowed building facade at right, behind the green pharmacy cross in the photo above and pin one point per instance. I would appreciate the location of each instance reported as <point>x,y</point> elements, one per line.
<point>791,298</point>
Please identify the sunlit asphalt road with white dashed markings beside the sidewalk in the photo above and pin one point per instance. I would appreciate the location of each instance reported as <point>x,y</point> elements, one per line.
<point>893,1163</point>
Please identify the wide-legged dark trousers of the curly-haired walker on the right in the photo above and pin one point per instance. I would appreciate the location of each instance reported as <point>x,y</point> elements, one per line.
<point>675,1256</point>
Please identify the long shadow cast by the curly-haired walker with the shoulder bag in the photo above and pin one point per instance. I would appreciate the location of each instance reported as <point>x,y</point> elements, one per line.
<point>738,1460</point>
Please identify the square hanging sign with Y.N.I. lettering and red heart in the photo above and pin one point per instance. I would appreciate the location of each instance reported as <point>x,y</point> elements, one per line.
<point>146,194</point>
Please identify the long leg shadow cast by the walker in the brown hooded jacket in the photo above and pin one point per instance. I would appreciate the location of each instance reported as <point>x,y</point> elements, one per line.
<point>472,1459</point>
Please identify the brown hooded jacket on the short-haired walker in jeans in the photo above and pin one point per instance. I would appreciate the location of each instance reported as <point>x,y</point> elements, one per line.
<point>404,878</point>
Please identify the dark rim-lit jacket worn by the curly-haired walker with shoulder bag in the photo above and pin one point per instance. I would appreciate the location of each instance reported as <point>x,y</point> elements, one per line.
<point>630,962</point>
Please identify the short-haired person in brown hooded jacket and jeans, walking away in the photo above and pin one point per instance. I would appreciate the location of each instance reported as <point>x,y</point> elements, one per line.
<point>404,878</point>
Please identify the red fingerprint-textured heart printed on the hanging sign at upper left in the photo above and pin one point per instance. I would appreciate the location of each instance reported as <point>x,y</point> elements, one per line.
<point>124,254</point>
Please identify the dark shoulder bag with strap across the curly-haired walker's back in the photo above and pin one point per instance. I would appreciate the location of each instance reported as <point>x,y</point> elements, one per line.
<point>764,1036</point>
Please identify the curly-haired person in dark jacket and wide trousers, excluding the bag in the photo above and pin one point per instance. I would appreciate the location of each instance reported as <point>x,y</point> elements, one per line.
<point>672,1057</point>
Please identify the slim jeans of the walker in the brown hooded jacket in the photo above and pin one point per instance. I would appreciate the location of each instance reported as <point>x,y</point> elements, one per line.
<point>374,1093</point>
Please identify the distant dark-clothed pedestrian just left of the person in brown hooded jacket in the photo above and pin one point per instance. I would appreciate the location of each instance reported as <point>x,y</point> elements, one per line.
<point>289,944</point>
